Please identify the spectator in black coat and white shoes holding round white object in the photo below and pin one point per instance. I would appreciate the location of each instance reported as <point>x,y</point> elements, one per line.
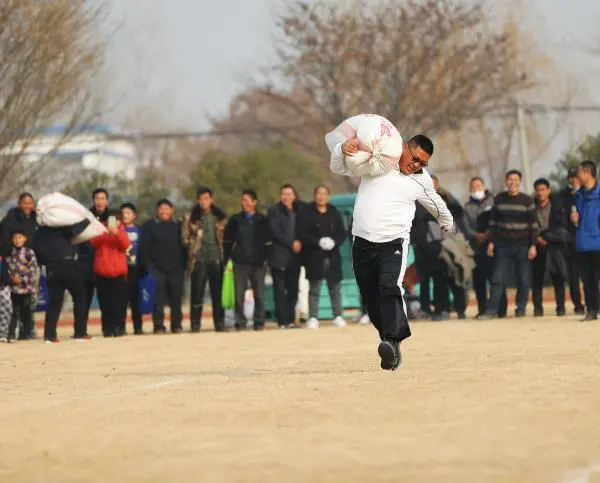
<point>321,232</point>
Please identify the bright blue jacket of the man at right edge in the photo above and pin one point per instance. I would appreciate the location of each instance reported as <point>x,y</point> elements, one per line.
<point>588,230</point>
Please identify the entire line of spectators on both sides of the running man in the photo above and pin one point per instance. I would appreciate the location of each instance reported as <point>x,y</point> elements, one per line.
<point>548,236</point>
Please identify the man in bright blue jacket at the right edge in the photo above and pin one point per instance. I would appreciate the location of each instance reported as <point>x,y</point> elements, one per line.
<point>587,219</point>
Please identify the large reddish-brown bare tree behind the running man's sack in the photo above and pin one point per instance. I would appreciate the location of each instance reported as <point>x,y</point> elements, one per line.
<point>425,65</point>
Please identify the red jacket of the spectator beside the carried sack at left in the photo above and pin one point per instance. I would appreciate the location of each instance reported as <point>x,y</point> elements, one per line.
<point>110,260</point>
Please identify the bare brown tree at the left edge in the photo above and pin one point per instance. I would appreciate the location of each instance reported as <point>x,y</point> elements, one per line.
<point>50,53</point>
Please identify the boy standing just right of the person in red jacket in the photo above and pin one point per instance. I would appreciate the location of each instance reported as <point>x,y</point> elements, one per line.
<point>128,218</point>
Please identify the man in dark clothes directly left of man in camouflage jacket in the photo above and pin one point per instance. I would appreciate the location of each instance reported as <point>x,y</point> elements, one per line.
<point>162,254</point>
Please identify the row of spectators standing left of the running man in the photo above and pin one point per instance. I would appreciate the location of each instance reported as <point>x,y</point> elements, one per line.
<point>291,235</point>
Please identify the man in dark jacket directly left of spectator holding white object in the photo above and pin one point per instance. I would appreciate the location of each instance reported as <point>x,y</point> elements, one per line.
<point>284,260</point>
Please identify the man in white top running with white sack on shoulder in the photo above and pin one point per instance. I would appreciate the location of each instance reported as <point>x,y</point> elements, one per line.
<point>382,219</point>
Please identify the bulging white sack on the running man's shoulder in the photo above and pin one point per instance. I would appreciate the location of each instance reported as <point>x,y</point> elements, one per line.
<point>380,144</point>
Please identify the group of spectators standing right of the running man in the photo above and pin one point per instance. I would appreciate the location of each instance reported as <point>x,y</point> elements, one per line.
<point>545,237</point>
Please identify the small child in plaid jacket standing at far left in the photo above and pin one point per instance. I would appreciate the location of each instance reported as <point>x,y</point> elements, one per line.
<point>23,268</point>
